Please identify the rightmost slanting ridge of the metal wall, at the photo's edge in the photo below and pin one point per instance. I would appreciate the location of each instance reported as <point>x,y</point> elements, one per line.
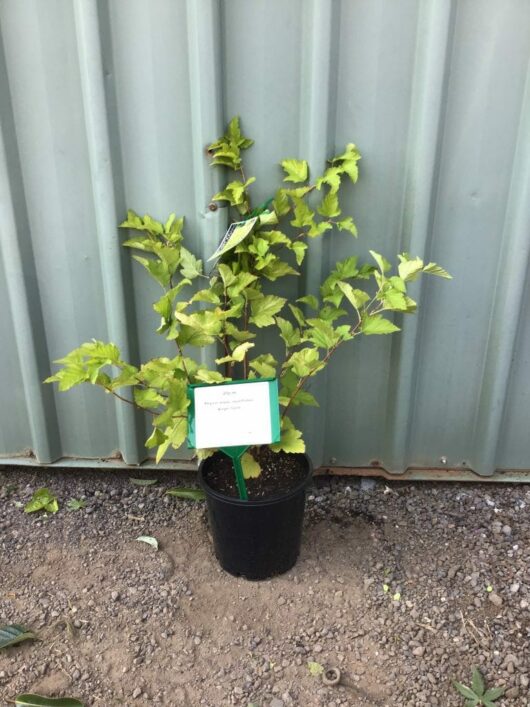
<point>508,299</point>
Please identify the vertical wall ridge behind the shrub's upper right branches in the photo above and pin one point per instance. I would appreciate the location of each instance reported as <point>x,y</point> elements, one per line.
<point>315,128</point>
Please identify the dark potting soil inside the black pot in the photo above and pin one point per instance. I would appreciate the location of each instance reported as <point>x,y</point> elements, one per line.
<point>280,473</point>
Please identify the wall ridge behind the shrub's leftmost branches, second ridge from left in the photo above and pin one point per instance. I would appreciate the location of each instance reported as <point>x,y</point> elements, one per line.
<point>101,172</point>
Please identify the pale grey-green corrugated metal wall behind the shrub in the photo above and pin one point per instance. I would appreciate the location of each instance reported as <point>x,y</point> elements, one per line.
<point>105,105</point>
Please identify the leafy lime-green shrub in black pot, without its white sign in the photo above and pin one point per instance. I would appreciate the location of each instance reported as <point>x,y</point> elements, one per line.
<point>226,310</point>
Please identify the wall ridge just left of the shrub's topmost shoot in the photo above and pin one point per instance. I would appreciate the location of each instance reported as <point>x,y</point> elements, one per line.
<point>205,78</point>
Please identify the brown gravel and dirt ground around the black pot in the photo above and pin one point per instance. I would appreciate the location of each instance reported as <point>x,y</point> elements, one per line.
<point>391,588</point>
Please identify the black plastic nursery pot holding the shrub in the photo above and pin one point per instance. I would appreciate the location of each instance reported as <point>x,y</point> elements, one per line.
<point>256,539</point>
